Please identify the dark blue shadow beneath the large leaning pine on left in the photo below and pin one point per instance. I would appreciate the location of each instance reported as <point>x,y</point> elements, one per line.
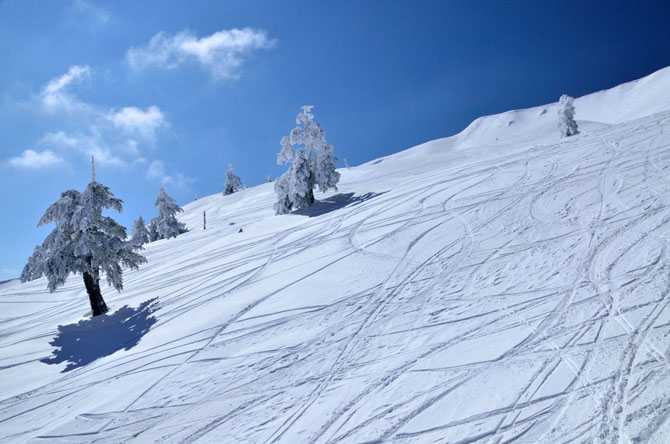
<point>84,342</point>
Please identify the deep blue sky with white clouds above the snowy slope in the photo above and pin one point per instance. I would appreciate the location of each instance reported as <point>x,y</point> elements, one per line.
<point>168,93</point>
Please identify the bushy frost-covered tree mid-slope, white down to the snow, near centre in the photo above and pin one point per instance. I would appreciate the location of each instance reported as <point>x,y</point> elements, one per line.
<point>312,164</point>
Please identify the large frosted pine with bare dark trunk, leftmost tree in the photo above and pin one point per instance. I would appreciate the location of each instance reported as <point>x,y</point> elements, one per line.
<point>84,241</point>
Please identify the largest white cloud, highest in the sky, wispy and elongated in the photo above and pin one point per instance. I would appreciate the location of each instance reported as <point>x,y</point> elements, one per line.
<point>221,53</point>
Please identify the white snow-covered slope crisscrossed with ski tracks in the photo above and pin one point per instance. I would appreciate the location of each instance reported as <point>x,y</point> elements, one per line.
<point>513,290</point>
